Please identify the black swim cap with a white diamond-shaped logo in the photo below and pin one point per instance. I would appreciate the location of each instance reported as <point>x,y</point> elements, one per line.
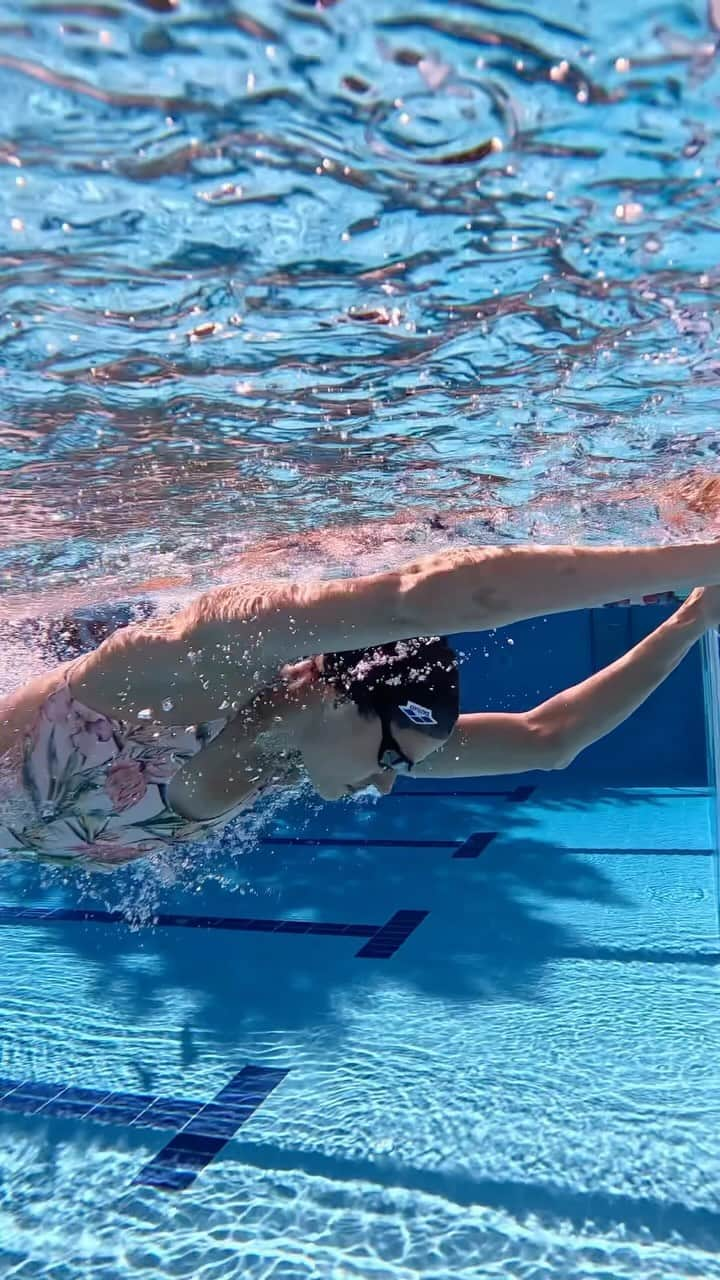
<point>413,684</point>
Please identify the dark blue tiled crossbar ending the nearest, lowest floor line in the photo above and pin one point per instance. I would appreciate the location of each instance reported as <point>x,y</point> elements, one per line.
<point>180,1162</point>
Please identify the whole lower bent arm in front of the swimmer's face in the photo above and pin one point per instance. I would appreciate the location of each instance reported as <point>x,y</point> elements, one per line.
<point>554,734</point>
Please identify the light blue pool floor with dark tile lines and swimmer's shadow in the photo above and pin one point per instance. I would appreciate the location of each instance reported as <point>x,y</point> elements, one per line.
<point>473,1035</point>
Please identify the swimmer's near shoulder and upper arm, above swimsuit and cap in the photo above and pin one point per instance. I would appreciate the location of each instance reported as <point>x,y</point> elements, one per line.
<point>231,641</point>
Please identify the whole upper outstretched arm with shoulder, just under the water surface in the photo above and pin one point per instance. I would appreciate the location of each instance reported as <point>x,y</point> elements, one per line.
<point>234,638</point>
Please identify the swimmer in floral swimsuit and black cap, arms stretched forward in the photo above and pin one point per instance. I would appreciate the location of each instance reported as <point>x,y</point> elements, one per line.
<point>170,728</point>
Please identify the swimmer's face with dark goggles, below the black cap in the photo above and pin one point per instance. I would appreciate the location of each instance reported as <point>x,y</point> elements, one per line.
<point>341,751</point>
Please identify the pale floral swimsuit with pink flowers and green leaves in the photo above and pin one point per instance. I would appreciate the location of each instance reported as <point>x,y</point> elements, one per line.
<point>97,788</point>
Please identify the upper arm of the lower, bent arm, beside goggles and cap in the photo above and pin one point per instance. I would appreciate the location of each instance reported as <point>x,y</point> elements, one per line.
<point>487,743</point>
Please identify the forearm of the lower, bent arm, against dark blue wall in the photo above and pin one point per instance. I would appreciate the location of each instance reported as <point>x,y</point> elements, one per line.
<point>591,710</point>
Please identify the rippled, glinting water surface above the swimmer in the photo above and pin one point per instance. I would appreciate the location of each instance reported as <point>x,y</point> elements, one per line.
<point>267,269</point>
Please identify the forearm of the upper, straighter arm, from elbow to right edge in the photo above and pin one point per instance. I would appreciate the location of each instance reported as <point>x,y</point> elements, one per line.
<point>491,587</point>
